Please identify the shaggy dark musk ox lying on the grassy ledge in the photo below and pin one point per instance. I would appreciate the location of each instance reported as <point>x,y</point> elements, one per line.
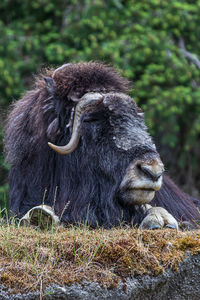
<point>78,143</point>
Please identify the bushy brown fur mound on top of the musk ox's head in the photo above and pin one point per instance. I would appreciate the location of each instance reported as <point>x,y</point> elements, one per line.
<point>86,77</point>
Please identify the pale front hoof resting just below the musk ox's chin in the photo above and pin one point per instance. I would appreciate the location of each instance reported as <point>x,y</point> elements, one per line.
<point>158,217</point>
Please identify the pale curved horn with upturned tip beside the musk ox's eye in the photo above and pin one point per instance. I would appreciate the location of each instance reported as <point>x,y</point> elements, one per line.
<point>88,101</point>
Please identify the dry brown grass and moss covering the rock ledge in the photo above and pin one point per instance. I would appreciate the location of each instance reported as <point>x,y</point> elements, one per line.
<point>31,259</point>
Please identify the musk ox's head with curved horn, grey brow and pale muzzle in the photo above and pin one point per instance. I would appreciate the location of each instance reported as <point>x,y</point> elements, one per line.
<point>104,127</point>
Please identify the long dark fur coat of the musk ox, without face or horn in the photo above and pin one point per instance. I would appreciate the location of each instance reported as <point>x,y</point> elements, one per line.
<point>69,183</point>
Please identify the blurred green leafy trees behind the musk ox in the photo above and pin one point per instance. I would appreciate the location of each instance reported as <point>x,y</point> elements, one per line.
<point>154,43</point>
